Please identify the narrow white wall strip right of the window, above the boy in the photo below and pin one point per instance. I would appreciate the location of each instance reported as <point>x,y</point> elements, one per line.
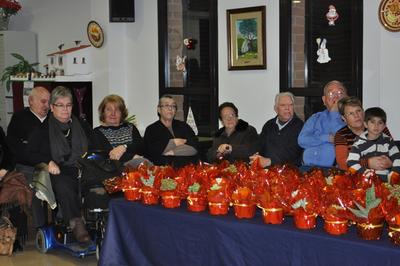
<point>381,67</point>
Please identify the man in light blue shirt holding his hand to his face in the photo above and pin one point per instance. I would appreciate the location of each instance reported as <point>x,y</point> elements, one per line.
<point>317,135</point>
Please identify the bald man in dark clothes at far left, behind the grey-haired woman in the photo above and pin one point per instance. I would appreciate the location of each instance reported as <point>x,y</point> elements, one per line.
<point>22,124</point>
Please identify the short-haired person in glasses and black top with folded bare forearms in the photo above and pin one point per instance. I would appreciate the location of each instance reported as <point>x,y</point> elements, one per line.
<point>170,141</point>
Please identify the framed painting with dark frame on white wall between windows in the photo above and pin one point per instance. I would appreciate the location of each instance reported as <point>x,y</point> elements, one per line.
<point>246,38</point>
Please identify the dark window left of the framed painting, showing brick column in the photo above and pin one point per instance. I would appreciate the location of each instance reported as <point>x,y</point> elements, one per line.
<point>188,35</point>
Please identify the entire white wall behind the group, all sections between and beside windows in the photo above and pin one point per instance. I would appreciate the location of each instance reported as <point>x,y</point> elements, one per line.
<point>127,64</point>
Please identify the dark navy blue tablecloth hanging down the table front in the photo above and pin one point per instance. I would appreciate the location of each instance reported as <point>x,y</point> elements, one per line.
<point>152,235</point>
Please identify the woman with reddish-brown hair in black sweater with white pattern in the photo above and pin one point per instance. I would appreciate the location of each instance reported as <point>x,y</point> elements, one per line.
<point>119,138</point>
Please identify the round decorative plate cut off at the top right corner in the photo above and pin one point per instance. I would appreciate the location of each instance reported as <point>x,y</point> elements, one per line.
<point>389,14</point>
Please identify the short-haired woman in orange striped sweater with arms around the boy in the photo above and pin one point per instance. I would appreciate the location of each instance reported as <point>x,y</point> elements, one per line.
<point>353,115</point>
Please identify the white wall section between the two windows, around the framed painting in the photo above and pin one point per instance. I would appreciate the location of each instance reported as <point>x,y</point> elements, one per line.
<point>252,91</point>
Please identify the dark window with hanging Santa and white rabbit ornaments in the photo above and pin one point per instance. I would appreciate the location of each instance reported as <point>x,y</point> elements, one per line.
<point>302,23</point>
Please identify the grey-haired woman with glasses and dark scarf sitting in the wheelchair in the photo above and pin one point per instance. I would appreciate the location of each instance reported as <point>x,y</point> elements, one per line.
<point>59,142</point>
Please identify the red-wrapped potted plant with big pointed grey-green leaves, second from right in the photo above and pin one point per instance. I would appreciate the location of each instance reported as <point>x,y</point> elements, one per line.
<point>367,214</point>
